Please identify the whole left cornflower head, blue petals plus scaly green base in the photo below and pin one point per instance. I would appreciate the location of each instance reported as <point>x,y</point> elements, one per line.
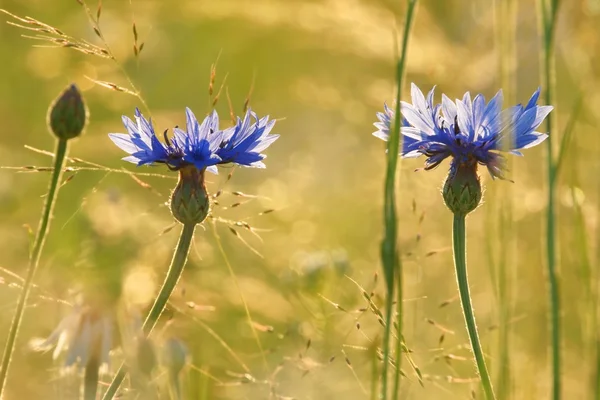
<point>201,147</point>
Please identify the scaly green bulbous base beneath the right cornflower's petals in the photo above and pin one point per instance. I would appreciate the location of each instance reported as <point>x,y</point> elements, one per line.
<point>462,189</point>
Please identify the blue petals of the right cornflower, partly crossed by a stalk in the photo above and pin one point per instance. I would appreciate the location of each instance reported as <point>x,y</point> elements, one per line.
<point>470,132</point>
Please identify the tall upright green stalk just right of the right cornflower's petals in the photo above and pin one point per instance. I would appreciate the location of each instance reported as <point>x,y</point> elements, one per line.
<point>549,12</point>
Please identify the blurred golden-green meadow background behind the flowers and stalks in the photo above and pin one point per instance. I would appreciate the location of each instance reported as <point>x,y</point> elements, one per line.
<point>324,68</point>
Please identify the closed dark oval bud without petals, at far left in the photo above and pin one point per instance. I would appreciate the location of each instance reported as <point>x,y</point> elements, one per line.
<point>68,114</point>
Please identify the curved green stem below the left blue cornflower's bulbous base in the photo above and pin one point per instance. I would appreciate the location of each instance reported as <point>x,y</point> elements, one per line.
<point>173,275</point>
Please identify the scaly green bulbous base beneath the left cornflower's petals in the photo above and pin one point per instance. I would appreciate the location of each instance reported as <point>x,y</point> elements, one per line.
<point>190,202</point>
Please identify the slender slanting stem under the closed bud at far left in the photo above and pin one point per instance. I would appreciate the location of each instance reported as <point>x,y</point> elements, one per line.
<point>60,156</point>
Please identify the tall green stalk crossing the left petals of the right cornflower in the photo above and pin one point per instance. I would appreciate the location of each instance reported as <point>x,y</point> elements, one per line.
<point>389,251</point>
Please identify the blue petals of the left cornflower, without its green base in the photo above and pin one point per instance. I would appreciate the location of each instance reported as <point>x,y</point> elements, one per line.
<point>201,145</point>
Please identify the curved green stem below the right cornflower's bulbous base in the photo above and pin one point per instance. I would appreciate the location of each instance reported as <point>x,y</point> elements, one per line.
<point>460,263</point>
